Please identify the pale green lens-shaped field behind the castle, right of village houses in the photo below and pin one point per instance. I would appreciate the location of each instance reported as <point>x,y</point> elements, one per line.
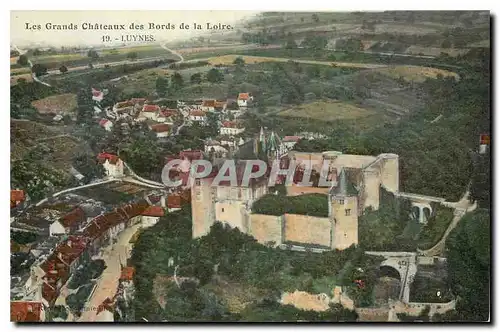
<point>327,110</point>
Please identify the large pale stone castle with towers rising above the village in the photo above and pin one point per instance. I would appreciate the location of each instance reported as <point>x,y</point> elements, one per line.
<point>356,186</point>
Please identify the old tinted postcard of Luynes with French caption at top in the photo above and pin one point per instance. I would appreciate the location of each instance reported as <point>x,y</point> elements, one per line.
<point>245,166</point>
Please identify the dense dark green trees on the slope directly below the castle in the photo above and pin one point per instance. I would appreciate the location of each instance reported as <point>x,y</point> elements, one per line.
<point>227,253</point>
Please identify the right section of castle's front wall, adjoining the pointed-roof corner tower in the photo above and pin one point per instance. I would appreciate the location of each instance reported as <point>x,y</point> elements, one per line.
<point>307,229</point>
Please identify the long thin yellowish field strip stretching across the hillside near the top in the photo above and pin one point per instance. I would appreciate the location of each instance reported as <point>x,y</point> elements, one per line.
<point>229,59</point>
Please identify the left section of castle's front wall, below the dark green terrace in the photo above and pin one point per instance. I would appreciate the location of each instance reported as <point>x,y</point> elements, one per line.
<point>266,228</point>
